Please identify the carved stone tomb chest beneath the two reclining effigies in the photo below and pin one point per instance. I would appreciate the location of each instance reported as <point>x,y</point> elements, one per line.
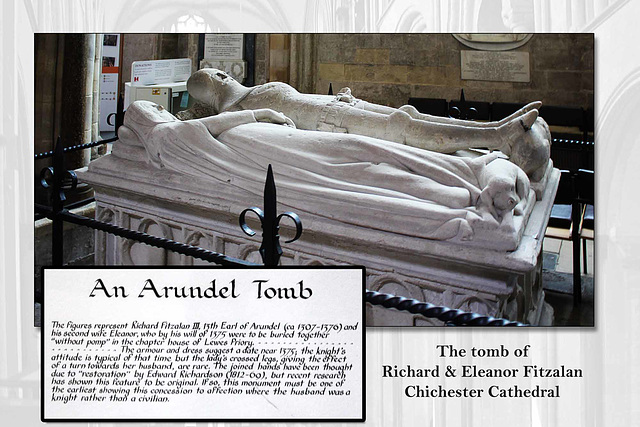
<point>486,281</point>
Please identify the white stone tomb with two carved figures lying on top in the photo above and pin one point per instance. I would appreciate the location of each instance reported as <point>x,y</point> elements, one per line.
<point>464,231</point>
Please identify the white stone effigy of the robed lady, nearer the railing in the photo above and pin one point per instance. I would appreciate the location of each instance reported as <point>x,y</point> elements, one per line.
<point>352,179</point>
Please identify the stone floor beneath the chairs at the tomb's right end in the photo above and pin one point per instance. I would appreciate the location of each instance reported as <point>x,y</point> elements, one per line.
<point>558,283</point>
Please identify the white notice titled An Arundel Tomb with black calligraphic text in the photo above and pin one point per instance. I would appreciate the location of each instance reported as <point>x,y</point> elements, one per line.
<point>203,344</point>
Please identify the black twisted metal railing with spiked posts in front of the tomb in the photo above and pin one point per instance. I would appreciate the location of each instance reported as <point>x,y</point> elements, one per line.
<point>58,179</point>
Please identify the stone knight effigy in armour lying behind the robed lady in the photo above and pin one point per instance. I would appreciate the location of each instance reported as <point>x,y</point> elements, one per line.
<point>522,136</point>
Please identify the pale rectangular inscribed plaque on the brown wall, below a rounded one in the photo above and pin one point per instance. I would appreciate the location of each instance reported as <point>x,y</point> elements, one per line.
<point>495,66</point>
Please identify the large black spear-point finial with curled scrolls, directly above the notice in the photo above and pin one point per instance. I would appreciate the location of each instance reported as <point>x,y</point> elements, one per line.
<point>270,250</point>
